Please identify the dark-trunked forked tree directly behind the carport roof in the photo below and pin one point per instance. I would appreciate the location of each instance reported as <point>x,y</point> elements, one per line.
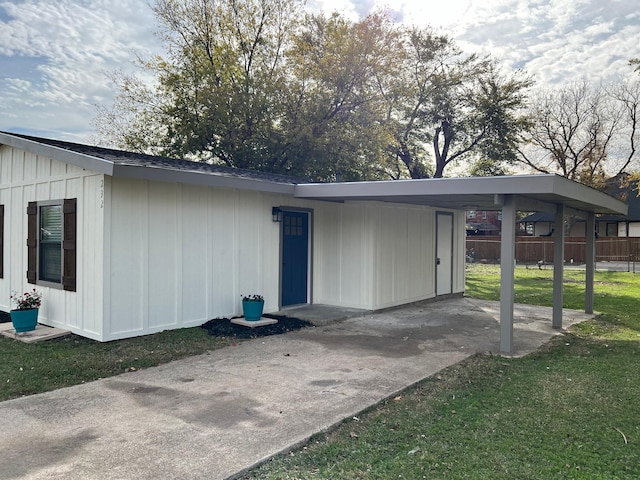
<point>445,106</point>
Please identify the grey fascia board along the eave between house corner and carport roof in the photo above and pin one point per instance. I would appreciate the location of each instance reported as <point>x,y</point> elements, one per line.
<point>199,178</point>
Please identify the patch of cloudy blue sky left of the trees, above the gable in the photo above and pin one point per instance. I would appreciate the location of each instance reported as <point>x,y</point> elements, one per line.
<point>69,46</point>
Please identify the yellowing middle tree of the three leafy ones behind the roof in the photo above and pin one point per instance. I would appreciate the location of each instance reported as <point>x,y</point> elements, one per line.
<point>333,119</point>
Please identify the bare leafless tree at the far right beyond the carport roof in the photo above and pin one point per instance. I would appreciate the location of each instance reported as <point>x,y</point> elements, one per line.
<point>583,132</point>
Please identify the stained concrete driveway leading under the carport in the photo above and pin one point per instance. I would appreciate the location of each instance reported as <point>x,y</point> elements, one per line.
<point>216,415</point>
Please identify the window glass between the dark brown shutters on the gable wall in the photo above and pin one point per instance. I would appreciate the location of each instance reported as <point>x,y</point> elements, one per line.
<point>51,243</point>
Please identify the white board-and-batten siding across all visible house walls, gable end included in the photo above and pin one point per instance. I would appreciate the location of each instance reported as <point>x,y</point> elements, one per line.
<point>153,255</point>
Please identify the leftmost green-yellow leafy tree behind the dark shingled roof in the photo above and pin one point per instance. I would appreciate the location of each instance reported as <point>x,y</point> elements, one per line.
<point>218,92</point>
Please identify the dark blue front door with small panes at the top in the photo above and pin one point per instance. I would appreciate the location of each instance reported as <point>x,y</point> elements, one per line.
<point>295,257</point>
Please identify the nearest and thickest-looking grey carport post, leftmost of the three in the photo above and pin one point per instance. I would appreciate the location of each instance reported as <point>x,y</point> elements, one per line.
<point>507,267</point>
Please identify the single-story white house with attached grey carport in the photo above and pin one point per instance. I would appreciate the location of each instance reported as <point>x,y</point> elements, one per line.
<point>124,244</point>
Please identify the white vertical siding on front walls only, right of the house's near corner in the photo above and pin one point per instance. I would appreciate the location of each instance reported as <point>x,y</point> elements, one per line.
<point>179,255</point>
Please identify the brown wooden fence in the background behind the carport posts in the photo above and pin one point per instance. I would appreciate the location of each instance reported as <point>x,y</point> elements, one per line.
<point>531,250</point>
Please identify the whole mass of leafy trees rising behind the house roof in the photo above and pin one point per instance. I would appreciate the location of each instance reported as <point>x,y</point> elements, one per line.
<point>258,84</point>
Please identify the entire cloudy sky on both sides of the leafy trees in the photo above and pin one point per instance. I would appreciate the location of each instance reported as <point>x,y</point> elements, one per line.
<point>54,54</point>
